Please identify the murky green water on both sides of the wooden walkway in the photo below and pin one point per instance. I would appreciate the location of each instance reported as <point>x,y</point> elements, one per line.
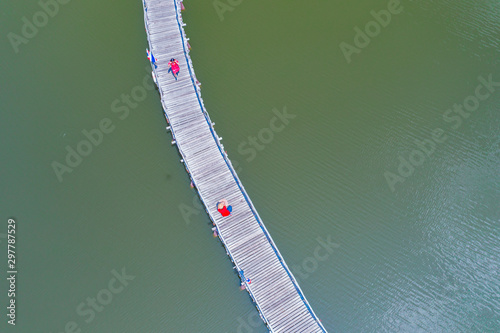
<point>420,257</point>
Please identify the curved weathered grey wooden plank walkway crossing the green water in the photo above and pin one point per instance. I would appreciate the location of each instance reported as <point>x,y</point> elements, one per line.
<point>274,290</point>
